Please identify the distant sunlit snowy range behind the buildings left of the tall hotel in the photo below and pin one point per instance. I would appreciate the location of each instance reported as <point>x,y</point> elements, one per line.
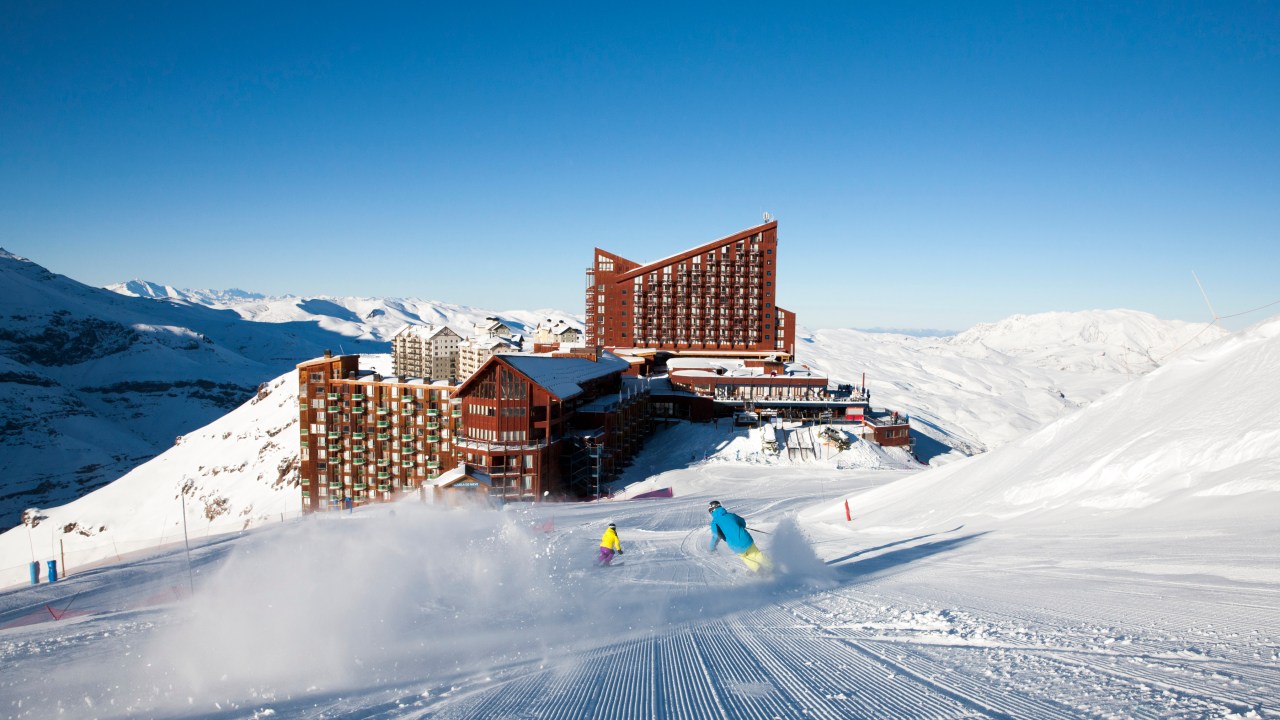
<point>365,318</point>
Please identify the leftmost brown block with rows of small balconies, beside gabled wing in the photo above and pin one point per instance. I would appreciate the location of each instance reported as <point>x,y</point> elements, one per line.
<point>368,439</point>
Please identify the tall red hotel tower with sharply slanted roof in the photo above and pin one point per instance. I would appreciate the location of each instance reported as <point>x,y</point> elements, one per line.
<point>717,299</point>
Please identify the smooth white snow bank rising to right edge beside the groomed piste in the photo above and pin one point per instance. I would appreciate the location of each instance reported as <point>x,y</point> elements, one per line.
<point>1192,446</point>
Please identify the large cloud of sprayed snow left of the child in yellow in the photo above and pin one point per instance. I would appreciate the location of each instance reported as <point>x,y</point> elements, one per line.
<point>335,601</point>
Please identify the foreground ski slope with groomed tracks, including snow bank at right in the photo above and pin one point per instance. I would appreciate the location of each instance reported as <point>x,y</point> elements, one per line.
<point>1117,563</point>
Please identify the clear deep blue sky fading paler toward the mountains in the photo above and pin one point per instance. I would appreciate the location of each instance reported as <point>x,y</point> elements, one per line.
<point>931,165</point>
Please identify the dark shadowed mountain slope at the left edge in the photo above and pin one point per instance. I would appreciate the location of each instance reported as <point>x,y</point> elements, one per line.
<point>93,382</point>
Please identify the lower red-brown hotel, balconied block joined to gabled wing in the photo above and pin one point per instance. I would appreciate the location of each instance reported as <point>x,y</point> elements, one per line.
<point>524,427</point>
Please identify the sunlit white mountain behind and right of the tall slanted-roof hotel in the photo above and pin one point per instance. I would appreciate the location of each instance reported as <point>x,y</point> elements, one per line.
<point>996,382</point>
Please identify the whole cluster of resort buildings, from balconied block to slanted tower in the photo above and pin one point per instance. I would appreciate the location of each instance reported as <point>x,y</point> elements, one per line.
<point>697,336</point>
